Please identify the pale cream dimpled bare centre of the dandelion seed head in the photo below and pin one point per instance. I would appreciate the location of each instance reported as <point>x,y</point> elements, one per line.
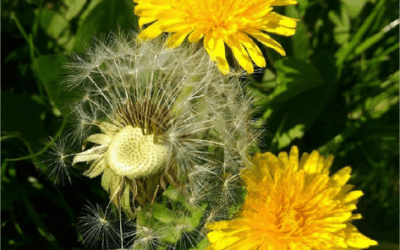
<point>132,154</point>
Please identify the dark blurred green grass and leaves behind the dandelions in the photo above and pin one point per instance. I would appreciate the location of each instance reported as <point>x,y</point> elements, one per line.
<point>337,90</point>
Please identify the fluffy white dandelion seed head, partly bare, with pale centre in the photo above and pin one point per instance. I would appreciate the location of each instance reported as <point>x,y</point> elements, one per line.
<point>152,120</point>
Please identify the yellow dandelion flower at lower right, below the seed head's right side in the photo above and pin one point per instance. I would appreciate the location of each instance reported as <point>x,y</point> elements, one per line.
<point>293,204</point>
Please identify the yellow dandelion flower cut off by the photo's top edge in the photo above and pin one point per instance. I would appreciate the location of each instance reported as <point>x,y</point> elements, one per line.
<point>218,22</point>
